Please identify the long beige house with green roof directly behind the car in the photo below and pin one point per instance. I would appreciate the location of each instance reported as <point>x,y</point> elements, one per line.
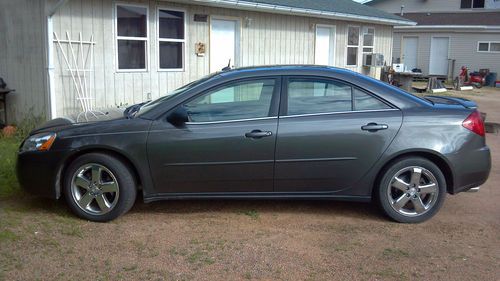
<point>67,56</point>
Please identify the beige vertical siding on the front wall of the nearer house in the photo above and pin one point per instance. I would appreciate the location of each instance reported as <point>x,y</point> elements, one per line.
<point>269,39</point>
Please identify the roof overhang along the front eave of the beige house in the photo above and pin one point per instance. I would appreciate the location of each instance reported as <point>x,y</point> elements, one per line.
<point>277,9</point>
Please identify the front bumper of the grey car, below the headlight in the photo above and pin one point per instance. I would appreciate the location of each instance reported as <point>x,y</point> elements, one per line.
<point>39,173</point>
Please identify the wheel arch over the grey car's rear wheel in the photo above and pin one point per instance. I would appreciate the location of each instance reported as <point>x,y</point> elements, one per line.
<point>430,155</point>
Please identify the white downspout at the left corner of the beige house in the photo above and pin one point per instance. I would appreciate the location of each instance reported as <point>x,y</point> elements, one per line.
<point>52,110</point>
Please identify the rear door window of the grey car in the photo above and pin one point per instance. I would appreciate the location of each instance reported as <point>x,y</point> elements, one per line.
<point>309,97</point>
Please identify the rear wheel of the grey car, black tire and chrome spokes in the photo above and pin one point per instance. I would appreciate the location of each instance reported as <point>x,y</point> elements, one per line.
<point>388,181</point>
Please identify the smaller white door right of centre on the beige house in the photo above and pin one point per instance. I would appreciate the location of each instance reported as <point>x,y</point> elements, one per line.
<point>324,53</point>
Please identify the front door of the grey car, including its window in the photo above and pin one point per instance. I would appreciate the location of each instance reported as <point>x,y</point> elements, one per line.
<point>227,146</point>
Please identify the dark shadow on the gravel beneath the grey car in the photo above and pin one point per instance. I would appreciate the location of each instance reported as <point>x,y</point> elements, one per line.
<point>358,210</point>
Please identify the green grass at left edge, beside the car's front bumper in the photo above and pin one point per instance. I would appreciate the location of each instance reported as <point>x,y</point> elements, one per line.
<point>8,153</point>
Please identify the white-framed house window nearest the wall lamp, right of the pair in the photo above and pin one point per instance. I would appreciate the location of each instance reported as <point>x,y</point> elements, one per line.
<point>184,41</point>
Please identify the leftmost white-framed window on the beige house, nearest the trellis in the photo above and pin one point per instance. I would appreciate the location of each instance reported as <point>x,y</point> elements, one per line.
<point>132,37</point>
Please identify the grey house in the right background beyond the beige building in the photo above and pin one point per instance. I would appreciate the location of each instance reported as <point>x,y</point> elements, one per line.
<point>449,34</point>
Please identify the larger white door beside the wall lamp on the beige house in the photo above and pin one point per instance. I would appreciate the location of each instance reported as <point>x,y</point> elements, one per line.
<point>224,43</point>
